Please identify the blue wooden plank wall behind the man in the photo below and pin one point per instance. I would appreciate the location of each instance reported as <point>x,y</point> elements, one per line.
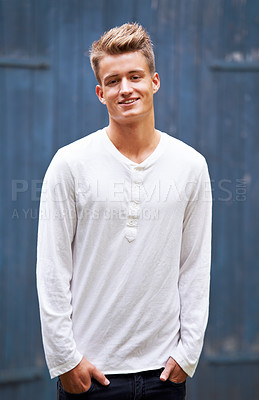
<point>208,60</point>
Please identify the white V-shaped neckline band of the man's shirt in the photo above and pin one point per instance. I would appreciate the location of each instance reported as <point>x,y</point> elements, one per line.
<point>148,160</point>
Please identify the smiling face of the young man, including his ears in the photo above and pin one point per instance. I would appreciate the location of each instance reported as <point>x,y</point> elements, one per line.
<point>127,87</point>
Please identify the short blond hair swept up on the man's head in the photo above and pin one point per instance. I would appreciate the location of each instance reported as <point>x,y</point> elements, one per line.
<point>122,39</point>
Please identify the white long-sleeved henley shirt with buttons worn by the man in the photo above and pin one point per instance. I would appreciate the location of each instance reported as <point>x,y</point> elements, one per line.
<point>123,261</point>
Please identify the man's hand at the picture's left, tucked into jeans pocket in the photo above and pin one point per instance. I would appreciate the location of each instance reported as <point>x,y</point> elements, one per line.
<point>78,380</point>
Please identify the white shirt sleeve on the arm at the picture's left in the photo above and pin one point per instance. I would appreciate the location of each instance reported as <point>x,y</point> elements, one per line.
<point>57,224</point>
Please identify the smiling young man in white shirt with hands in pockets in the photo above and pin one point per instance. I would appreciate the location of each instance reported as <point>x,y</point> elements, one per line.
<point>124,243</point>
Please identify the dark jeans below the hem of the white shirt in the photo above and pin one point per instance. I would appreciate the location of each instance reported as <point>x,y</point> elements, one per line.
<point>140,386</point>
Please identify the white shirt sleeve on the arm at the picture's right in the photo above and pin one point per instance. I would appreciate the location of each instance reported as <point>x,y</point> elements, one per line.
<point>194,276</point>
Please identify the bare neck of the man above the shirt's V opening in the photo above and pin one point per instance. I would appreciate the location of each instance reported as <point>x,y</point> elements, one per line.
<point>135,141</point>
